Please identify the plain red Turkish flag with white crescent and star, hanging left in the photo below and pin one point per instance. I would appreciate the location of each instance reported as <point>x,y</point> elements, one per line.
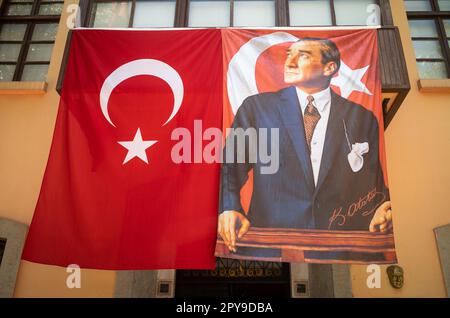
<point>112,196</point>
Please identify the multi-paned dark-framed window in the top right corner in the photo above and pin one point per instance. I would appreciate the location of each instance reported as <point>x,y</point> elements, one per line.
<point>429,22</point>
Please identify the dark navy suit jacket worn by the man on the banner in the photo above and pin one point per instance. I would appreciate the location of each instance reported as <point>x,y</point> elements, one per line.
<point>342,199</point>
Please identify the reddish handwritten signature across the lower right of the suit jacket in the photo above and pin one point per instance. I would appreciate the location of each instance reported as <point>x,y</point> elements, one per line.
<point>341,218</point>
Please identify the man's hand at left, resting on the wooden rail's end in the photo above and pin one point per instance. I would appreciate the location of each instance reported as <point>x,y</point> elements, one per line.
<point>228,225</point>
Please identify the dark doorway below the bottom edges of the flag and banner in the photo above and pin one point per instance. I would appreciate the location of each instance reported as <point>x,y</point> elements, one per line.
<point>235,278</point>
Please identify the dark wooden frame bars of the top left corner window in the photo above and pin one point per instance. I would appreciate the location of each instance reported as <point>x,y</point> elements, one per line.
<point>31,21</point>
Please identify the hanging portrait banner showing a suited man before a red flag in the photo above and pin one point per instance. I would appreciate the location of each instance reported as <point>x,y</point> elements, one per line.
<point>303,177</point>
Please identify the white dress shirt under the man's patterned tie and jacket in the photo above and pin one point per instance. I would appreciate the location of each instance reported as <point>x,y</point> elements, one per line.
<point>322,101</point>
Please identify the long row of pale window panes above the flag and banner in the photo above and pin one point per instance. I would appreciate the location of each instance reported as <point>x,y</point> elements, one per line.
<point>230,13</point>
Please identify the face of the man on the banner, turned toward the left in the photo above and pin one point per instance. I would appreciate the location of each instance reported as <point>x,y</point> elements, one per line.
<point>304,66</point>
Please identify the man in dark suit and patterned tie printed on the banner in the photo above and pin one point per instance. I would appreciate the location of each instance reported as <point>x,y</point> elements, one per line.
<point>329,174</point>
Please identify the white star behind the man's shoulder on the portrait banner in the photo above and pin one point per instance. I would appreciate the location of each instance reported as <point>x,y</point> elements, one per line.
<point>349,80</point>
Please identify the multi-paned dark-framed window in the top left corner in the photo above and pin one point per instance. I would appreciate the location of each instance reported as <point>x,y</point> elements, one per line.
<point>27,34</point>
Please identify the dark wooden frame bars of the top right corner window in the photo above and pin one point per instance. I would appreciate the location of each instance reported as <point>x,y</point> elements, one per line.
<point>437,16</point>
